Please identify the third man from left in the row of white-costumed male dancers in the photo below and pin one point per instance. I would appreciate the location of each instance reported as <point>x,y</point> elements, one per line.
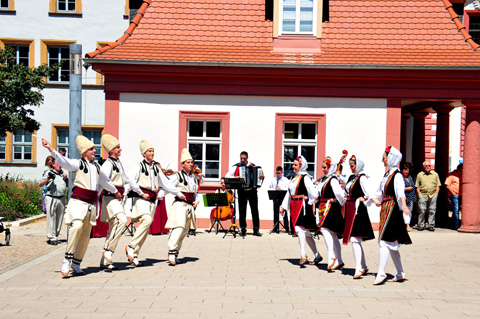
<point>149,177</point>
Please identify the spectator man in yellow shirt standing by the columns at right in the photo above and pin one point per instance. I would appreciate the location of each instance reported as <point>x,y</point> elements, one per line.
<point>428,186</point>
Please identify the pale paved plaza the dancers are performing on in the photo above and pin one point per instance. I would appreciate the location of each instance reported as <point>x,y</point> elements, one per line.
<point>249,278</point>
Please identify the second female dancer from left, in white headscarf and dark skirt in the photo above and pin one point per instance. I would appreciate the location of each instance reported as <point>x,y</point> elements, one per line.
<point>333,223</point>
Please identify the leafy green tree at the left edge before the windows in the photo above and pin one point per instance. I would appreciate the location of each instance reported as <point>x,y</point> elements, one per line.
<point>20,90</point>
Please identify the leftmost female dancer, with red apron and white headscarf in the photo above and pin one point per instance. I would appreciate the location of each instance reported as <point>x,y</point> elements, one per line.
<point>299,200</point>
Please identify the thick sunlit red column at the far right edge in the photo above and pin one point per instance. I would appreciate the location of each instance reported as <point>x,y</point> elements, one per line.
<point>471,170</point>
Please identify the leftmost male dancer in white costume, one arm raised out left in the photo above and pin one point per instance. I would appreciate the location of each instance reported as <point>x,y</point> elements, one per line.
<point>81,208</point>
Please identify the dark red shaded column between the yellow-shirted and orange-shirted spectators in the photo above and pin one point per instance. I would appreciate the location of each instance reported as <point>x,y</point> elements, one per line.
<point>442,148</point>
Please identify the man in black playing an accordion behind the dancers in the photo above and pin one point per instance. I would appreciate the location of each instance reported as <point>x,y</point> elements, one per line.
<point>246,195</point>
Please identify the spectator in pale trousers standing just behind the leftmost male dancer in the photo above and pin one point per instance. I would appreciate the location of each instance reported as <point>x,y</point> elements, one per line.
<point>55,190</point>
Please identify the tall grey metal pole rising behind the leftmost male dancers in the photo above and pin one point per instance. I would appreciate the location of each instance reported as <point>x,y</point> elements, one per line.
<point>75,115</point>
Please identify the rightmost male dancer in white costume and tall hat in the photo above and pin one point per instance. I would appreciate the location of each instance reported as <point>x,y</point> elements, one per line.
<point>181,216</point>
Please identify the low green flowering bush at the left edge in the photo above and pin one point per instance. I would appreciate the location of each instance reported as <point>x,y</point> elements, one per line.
<point>19,198</point>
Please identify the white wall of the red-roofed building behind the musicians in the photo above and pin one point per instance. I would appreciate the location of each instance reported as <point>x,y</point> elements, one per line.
<point>252,128</point>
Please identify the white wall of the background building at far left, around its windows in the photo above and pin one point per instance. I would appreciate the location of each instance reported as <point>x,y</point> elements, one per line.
<point>33,21</point>
